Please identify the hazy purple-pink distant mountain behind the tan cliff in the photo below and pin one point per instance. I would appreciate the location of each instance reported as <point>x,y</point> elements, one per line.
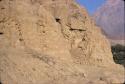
<point>110,17</point>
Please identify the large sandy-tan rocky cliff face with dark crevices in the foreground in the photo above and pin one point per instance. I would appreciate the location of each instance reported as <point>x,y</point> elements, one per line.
<point>52,42</point>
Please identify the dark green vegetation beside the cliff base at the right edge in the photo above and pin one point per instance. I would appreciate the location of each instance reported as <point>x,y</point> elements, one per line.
<point>118,54</point>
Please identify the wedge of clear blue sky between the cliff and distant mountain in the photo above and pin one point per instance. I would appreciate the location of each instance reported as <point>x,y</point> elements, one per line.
<point>91,5</point>
